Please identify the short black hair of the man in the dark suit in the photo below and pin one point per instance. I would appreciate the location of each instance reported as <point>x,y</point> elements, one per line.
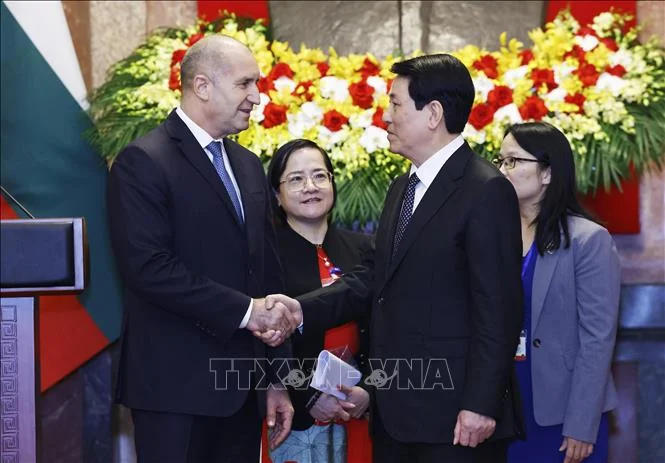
<point>443,78</point>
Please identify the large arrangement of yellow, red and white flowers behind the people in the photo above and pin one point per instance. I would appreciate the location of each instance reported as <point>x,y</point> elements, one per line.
<point>599,85</point>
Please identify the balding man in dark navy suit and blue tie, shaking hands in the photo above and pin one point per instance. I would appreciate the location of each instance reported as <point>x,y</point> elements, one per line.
<point>191,232</point>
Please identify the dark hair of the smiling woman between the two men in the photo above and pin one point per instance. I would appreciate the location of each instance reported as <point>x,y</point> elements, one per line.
<point>278,165</point>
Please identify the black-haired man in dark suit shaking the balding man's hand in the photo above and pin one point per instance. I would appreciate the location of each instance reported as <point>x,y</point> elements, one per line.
<point>444,288</point>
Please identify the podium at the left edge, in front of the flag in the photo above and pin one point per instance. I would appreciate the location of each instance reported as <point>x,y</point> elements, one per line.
<point>38,256</point>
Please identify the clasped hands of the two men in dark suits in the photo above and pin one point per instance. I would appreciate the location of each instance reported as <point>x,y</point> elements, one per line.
<point>274,318</point>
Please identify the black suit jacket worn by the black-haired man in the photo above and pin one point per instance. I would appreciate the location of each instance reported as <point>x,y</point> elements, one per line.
<point>451,299</point>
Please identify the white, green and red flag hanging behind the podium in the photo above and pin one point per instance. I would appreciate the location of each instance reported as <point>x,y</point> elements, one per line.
<point>48,167</point>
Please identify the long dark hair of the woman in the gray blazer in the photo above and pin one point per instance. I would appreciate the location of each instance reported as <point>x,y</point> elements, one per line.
<point>549,145</point>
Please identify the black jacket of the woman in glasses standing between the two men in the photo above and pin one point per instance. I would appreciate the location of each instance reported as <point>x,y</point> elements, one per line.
<point>346,250</point>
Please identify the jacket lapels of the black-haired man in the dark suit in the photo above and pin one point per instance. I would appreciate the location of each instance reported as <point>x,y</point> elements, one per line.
<point>438,193</point>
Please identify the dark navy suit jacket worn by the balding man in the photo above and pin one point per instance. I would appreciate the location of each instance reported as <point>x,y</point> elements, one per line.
<point>190,268</point>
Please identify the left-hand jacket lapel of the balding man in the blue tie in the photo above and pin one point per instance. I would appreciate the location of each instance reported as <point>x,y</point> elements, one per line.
<point>198,158</point>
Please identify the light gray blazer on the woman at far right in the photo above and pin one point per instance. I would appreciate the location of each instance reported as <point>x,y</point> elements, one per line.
<point>575,306</point>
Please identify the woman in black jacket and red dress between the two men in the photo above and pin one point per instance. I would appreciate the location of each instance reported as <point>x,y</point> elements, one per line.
<point>314,253</point>
